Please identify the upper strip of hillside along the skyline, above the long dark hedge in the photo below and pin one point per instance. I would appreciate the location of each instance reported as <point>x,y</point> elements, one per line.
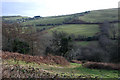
<point>88,16</point>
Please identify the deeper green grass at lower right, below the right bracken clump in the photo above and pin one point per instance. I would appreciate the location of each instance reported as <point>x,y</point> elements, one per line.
<point>97,73</point>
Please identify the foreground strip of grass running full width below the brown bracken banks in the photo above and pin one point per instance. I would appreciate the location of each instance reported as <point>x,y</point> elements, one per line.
<point>72,71</point>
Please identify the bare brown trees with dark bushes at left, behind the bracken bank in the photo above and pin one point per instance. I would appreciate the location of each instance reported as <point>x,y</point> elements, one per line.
<point>16,38</point>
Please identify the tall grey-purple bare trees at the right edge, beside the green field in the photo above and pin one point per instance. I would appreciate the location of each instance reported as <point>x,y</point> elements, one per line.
<point>110,46</point>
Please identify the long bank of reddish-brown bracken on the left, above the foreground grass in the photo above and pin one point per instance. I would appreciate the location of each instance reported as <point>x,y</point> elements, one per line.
<point>37,59</point>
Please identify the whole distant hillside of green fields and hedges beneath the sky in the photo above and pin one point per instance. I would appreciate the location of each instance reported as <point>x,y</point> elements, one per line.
<point>52,23</point>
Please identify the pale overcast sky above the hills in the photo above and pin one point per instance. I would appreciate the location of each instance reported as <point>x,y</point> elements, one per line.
<point>53,7</point>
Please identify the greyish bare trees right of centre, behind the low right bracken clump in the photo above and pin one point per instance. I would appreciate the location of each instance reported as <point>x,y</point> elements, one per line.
<point>89,53</point>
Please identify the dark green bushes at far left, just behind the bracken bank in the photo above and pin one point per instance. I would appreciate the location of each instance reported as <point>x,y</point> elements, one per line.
<point>16,46</point>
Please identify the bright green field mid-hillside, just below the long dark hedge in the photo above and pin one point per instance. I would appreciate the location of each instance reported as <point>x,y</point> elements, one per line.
<point>77,29</point>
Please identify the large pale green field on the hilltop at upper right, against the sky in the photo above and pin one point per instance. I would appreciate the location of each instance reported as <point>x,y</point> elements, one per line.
<point>101,15</point>
